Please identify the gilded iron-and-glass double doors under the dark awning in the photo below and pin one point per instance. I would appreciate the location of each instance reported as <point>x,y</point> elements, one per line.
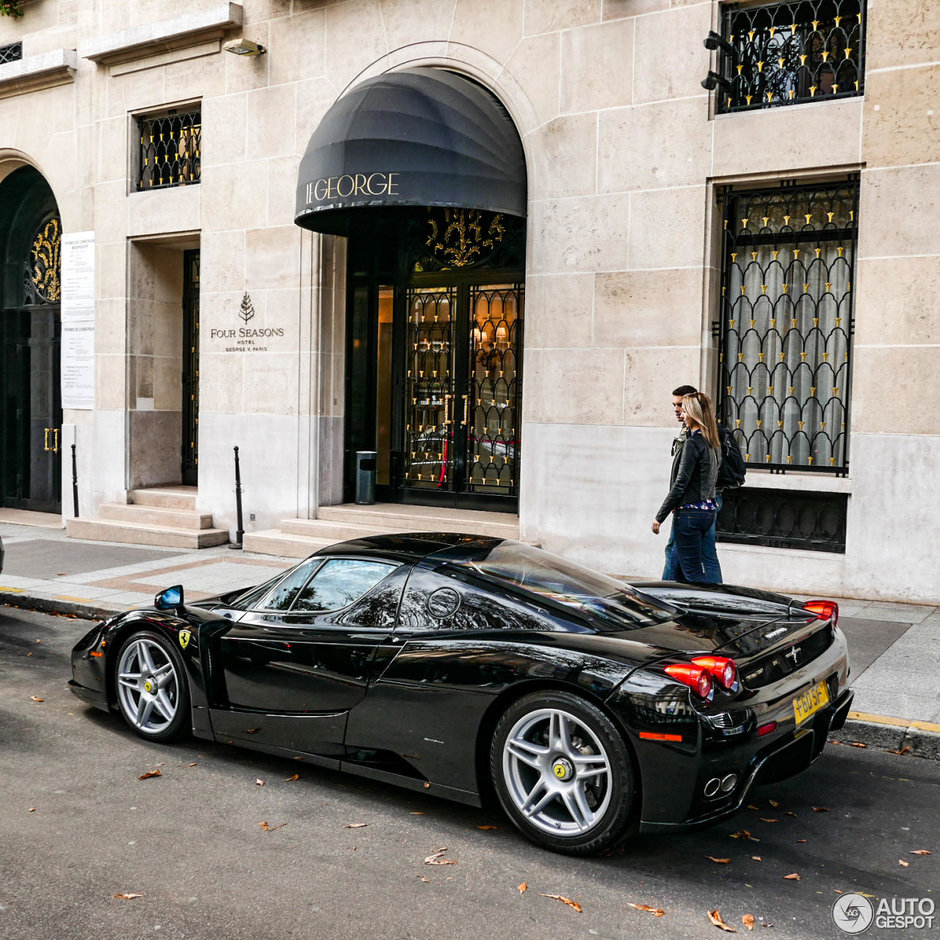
<point>462,398</point>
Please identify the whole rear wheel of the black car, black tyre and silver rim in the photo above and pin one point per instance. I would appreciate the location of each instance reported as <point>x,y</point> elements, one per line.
<point>563,773</point>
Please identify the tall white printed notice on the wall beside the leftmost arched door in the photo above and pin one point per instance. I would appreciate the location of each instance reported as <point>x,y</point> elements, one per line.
<point>77,313</point>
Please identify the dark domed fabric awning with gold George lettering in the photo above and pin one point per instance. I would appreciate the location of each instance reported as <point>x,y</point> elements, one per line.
<point>419,137</point>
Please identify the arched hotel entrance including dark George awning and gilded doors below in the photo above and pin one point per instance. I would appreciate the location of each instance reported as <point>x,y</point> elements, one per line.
<point>423,171</point>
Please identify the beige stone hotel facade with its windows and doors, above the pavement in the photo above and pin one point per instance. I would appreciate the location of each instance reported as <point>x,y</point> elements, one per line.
<point>771,239</point>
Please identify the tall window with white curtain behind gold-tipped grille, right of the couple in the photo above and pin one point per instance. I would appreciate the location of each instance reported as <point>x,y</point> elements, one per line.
<point>784,337</point>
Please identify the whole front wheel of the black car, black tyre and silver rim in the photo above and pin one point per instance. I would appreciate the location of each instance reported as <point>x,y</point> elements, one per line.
<point>151,688</point>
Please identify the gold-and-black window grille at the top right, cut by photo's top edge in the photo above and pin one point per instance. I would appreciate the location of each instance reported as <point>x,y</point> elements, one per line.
<point>790,53</point>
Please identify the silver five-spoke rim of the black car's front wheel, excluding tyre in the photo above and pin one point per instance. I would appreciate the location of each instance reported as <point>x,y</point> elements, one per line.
<point>148,686</point>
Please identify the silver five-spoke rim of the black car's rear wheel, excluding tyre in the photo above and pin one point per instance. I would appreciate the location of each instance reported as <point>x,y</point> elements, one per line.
<point>557,773</point>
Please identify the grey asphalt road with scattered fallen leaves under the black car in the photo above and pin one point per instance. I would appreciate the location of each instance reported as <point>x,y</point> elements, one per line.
<point>343,857</point>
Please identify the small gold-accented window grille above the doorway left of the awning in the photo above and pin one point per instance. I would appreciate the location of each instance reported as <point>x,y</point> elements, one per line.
<point>170,149</point>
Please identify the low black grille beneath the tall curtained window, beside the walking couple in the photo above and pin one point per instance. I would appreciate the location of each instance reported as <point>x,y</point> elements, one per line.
<point>784,519</point>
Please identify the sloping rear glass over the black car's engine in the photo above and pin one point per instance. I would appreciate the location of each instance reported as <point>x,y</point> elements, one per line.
<point>610,604</point>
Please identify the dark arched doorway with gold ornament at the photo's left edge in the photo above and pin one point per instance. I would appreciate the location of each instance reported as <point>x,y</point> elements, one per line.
<point>30,392</point>
